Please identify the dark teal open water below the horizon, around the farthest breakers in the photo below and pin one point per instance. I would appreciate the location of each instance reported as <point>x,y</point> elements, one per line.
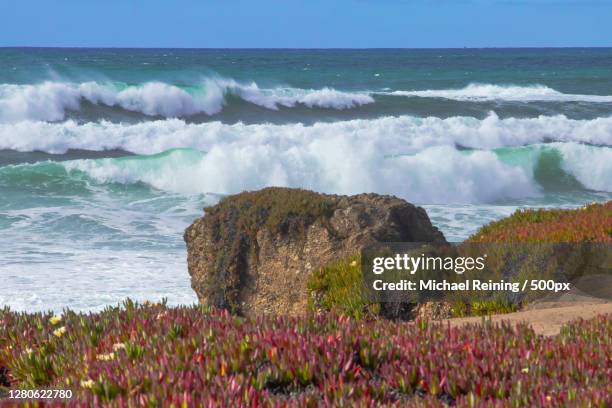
<point>579,74</point>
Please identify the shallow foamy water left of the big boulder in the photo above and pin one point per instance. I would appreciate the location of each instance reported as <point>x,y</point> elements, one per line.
<point>95,249</point>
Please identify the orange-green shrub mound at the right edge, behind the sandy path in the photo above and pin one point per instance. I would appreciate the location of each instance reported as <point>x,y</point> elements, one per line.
<point>564,245</point>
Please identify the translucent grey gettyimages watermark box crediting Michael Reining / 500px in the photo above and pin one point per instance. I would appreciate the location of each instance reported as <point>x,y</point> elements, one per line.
<point>522,271</point>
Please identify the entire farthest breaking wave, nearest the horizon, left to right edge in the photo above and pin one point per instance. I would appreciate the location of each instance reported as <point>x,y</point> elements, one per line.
<point>52,100</point>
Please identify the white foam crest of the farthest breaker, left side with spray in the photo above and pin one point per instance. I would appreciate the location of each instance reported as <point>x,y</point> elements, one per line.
<point>49,101</point>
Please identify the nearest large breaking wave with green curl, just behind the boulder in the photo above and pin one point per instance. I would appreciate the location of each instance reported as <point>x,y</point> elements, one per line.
<point>463,176</point>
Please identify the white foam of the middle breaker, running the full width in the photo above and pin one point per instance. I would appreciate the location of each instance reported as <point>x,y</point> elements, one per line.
<point>387,136</point>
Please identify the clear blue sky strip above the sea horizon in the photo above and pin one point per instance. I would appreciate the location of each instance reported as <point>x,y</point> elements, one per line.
<point>307,23</point>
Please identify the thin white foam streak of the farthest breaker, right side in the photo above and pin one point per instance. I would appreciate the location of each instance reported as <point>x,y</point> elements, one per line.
<point>490,92</point>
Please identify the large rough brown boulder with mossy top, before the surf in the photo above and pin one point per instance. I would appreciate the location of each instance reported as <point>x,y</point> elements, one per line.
<point>253,252</point>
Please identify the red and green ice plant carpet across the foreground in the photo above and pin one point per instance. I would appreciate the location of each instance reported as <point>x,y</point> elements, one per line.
<point>196,356</point>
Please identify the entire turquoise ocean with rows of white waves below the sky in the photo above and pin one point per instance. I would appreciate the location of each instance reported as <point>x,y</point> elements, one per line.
<point>106,155</point>
